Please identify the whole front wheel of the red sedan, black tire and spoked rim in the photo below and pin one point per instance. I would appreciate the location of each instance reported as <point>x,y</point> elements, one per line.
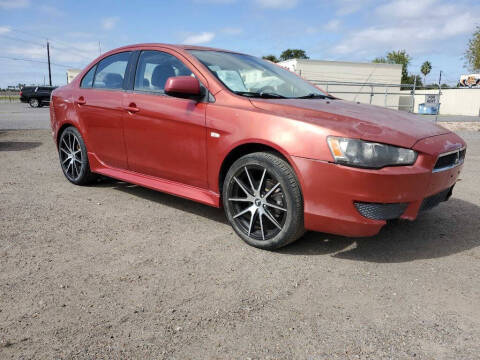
<point>273,192</point>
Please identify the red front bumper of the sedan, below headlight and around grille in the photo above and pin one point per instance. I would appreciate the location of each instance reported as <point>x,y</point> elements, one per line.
<point>332,193</point>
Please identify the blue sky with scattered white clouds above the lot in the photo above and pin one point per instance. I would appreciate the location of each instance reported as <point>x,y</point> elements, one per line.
<point>349,30</point>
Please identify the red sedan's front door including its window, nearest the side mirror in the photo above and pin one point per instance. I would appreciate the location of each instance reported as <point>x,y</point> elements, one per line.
<point>165,136</point>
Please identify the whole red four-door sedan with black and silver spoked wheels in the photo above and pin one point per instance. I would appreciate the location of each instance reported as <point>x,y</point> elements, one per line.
<point>281,156</point>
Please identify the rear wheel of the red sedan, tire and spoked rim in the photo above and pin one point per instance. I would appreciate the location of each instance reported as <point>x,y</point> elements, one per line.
<point>72,153</point>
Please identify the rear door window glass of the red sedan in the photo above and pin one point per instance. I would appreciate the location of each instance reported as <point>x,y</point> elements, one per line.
<point>111,71</point>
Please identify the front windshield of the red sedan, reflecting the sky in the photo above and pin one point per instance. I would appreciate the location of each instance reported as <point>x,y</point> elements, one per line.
<point>250,76</point>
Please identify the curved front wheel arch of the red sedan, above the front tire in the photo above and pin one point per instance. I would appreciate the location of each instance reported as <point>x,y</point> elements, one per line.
<point>251,147</point>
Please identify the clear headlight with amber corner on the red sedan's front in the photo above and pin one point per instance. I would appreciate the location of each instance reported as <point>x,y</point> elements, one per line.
<point>359,153</point>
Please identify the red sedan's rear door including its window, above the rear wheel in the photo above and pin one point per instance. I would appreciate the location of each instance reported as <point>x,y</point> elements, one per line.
<point>99,106</point>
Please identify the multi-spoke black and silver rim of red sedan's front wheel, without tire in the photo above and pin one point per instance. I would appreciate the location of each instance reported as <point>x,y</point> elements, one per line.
<point>259,208</point>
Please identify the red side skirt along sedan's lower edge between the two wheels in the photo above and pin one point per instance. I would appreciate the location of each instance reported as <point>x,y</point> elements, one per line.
<point>194,193</point>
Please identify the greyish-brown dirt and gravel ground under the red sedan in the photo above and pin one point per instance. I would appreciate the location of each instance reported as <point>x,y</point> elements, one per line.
<point>116,271</point>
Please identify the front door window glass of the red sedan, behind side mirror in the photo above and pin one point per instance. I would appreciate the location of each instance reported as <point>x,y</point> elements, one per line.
<point>154,68</point>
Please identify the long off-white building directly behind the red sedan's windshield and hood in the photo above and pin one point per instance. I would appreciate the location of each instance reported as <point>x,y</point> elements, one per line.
<point>346,80</point>
